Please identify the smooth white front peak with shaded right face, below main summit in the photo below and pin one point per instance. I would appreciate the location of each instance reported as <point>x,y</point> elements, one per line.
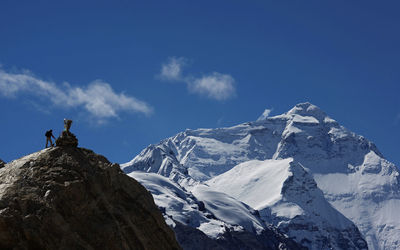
<point>286,195</point>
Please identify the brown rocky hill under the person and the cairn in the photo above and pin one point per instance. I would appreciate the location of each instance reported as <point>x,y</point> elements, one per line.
<point>72,198</point>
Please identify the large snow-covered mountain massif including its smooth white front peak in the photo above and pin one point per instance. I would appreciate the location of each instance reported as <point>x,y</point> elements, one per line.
<point>306,146</point>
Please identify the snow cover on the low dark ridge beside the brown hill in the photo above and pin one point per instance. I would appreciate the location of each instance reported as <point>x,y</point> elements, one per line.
<point>220,210</point>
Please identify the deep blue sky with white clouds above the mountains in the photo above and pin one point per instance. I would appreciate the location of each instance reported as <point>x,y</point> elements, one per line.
<point>130,73</point>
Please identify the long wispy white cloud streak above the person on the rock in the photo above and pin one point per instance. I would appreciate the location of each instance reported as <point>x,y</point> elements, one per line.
<point>98,98</point>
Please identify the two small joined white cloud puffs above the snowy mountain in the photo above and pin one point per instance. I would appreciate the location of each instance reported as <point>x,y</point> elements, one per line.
<point>215,85</point>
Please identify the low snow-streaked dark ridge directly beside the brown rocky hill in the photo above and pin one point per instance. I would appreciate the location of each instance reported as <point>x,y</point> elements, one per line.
<point>208,219</point>
